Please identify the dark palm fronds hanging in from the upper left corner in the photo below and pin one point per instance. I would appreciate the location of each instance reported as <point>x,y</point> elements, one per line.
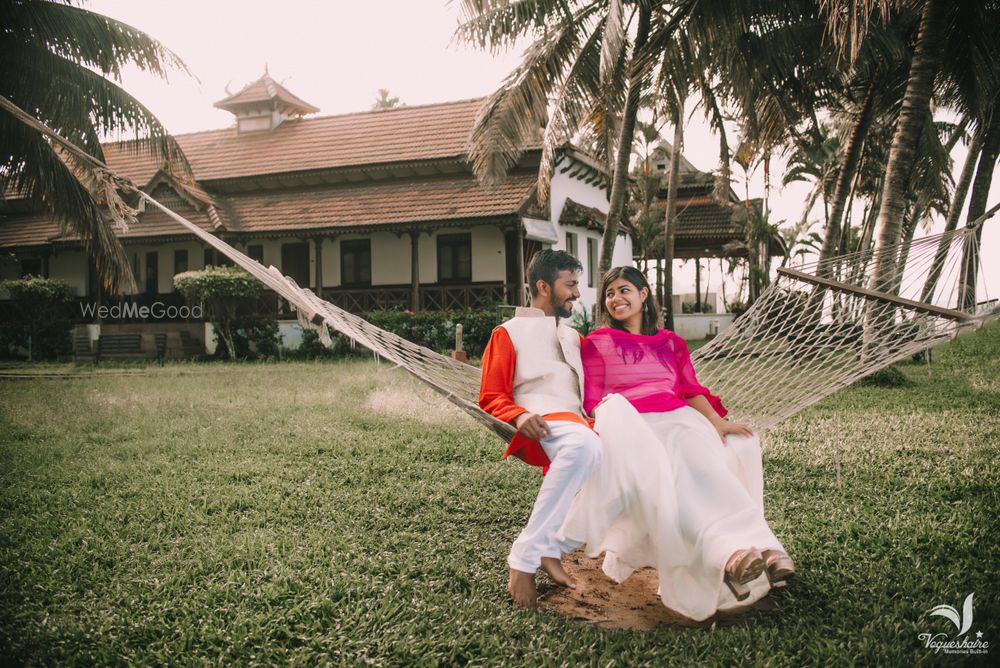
<point>59,64</point>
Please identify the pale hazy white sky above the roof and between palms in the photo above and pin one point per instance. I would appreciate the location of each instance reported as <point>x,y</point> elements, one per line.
<point>336,55</point>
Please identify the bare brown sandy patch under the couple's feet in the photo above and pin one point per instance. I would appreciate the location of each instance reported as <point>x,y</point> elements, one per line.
<point>631,605</point>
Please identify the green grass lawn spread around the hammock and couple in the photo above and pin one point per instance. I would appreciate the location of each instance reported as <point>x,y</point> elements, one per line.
<point>339,513</point>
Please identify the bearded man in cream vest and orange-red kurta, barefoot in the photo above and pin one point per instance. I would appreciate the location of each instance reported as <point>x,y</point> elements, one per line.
<point>533,378</point>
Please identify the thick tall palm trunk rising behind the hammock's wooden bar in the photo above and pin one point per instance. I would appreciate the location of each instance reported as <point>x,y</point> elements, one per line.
<point>902,155</point>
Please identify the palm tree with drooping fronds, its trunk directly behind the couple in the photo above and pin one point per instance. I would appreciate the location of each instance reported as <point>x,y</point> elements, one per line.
<point>582,73</point>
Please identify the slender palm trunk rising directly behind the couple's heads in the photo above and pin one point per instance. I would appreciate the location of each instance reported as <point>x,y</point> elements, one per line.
<point>619,182</point>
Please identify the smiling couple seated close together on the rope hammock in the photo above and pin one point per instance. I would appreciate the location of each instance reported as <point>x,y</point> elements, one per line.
<point>658,478</point>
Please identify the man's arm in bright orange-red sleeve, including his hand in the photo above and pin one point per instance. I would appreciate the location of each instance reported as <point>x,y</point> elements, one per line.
<point>496,388</point>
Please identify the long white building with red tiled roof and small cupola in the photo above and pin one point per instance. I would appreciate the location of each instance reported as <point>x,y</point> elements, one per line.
<point>374,209</point>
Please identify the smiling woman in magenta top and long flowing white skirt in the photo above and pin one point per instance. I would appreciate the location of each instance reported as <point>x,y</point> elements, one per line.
<point>681,488</point>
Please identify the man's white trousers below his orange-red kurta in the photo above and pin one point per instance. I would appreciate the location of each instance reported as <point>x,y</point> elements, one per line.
<point>575,451</point>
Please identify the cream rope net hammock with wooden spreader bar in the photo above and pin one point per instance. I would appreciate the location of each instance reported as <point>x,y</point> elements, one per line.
<point>816,329</point>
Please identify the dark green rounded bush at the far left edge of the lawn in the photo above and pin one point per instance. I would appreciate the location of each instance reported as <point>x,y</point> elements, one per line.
<point>40,322</point>
